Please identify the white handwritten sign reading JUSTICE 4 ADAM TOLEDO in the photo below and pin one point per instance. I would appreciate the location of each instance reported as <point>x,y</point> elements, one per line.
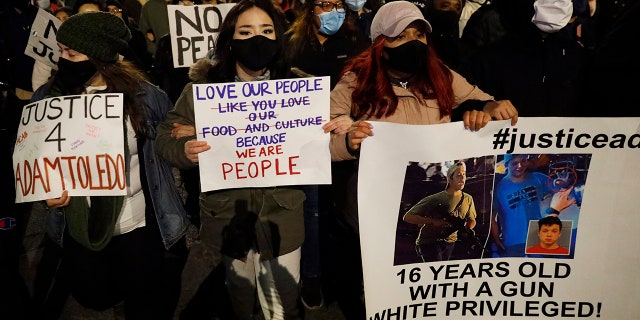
<point>73,143</point>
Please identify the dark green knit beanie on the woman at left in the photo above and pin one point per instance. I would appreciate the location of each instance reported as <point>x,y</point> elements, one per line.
<point>99,35</point>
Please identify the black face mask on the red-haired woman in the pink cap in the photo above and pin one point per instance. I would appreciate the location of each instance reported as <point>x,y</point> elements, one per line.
<point>408,58</point>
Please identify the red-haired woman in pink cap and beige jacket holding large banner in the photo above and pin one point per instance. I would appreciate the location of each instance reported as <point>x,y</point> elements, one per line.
<point>401,79</point>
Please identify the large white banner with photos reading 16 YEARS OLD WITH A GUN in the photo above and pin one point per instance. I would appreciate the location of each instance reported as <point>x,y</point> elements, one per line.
<point>553,204</point>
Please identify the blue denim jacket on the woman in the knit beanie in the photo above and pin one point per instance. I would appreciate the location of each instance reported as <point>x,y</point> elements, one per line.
<point>167,203</point>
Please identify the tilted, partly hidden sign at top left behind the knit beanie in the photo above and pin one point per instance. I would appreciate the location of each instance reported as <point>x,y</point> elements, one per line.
<point>42,44</point>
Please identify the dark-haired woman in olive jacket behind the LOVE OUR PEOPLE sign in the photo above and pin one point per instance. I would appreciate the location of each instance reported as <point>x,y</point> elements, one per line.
<point>255,232</point>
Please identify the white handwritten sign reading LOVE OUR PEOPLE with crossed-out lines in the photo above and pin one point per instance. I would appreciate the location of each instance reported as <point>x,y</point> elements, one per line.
<point>263,133</point>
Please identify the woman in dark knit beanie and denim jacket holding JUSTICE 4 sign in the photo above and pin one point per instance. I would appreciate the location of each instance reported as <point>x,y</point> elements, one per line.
<point>115,249</point>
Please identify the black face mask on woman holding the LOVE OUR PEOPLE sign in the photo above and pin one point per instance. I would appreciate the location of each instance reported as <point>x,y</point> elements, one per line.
<point>255,53</point>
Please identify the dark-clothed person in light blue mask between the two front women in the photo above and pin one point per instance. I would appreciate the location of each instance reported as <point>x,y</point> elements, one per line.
<point>319,43</point>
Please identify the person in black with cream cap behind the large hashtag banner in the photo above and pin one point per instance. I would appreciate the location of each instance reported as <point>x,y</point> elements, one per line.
<point>538,63</point>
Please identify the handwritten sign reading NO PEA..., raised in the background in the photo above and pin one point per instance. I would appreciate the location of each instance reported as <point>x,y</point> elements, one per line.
<point>194,30</point>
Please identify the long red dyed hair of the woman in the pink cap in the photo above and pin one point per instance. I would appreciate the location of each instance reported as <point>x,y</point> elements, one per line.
<point>374,96</point>
